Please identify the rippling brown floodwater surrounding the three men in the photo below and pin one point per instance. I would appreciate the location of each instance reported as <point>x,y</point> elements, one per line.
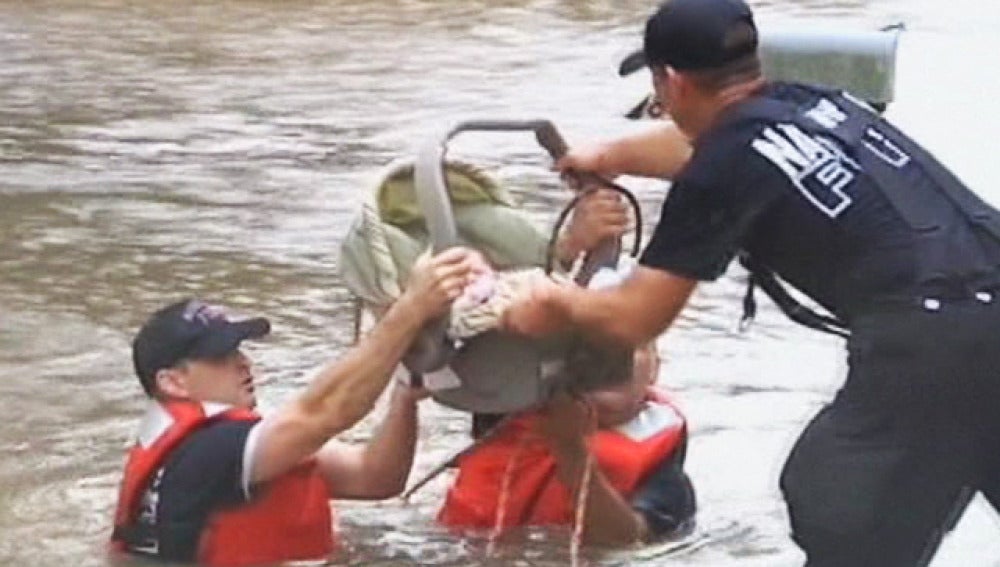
<point>150,151</point>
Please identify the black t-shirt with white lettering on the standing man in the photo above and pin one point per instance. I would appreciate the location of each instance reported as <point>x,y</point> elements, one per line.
<point>818,222</point>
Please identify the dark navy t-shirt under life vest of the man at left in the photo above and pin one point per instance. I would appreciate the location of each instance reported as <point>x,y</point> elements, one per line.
<point>204,474</point>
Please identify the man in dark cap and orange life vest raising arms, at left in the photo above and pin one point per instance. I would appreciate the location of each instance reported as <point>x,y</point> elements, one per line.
<point>210,481</point>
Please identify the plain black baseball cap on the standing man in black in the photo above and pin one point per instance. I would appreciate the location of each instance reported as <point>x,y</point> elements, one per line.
<point>696,35</point>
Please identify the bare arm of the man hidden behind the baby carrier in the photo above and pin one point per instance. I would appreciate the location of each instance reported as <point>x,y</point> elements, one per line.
<point>608,518</point>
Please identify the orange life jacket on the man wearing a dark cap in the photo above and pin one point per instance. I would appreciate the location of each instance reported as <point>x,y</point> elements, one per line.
<point>290,519</point>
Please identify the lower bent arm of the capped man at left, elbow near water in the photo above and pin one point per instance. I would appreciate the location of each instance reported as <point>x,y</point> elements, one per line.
<point>380,468</point>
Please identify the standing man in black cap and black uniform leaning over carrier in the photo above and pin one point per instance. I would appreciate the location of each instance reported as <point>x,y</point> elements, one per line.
<point>813,186</point>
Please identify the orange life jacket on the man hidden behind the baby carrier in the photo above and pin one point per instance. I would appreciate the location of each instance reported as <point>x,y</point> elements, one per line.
<point>626,455</point>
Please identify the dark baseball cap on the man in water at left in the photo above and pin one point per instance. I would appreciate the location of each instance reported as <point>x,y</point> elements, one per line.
<point>188,329</point>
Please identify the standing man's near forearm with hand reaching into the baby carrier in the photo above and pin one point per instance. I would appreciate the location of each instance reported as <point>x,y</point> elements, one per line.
<point>630,314</point>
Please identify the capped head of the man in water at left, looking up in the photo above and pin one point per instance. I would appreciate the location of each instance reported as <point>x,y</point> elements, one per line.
<point>190,350</point>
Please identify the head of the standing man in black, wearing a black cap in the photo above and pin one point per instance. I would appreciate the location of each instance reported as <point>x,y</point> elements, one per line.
<point>701,54</point>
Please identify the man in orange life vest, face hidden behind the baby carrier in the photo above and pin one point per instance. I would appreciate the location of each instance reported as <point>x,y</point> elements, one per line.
<point>638,490</point>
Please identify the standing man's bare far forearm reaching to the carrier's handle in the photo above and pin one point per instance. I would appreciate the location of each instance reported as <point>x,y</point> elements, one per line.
<point>661,152</point>
